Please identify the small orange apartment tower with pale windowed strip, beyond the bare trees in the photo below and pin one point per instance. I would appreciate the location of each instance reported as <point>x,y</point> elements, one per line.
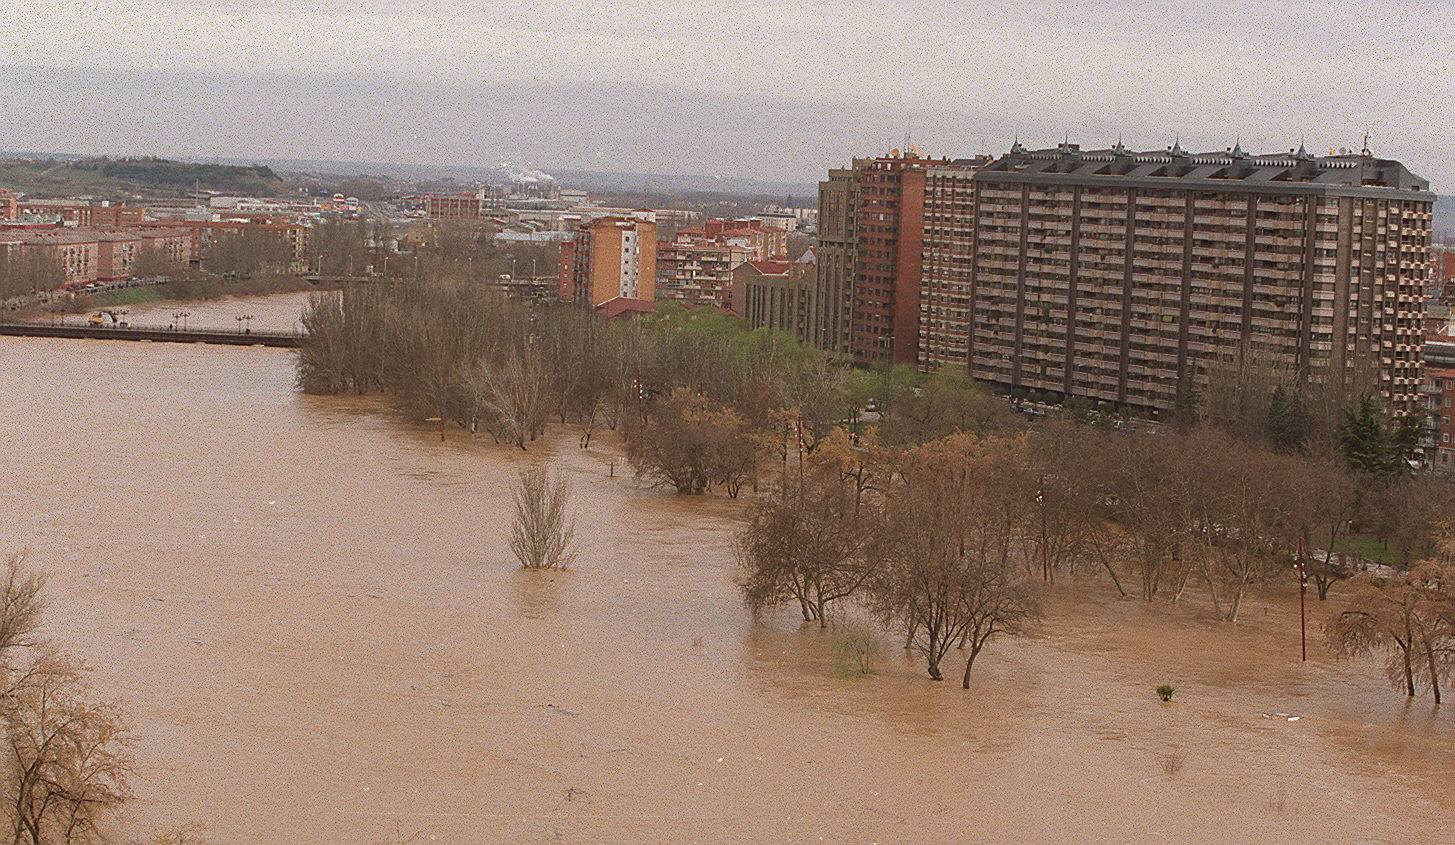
<point>610,258</point>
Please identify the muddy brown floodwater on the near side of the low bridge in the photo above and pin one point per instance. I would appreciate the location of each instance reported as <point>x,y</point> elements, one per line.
<point>311,612</point>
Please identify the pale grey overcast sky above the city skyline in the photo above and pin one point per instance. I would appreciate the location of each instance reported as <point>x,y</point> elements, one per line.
<point>768,89</point>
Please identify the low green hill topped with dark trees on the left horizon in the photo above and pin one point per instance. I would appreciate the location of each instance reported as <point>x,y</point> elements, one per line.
<point>124,178</point>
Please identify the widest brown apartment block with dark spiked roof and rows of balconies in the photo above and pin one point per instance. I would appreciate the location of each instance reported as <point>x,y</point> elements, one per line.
<point>1114,276</point>
